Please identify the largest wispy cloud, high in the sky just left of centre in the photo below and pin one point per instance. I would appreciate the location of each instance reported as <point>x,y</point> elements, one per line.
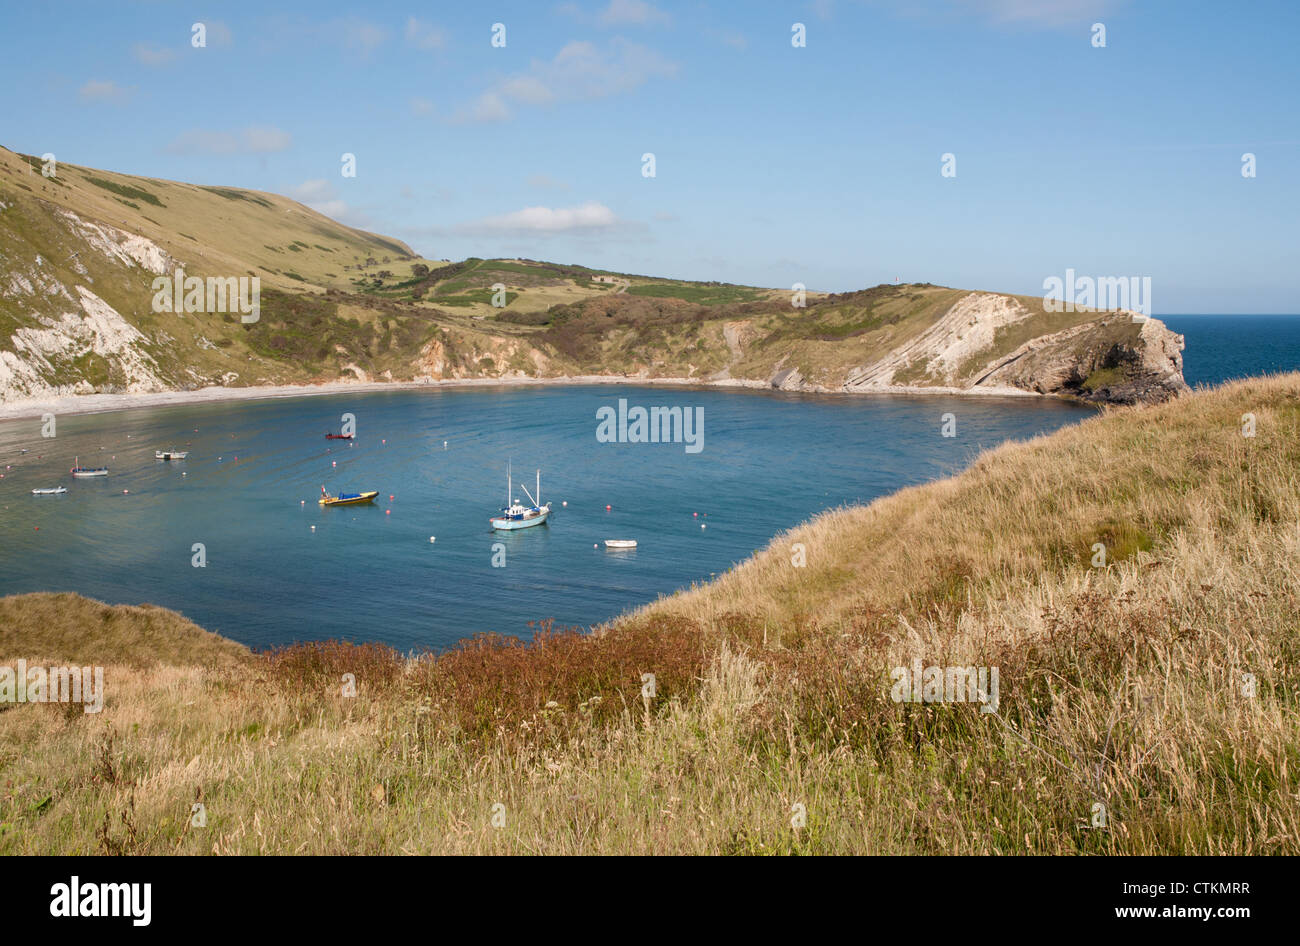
<point>580,72</point>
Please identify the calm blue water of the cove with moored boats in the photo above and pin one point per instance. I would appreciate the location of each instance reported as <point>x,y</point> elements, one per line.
<point>769,462</point>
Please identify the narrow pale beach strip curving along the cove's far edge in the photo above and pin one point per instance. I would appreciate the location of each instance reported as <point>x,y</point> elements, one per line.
<point>110,403</point>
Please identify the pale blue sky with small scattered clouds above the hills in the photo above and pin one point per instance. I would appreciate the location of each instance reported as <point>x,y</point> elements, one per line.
<point>774,164</point>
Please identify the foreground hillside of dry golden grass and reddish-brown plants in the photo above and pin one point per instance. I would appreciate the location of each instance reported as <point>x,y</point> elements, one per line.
<point>1160,684</point>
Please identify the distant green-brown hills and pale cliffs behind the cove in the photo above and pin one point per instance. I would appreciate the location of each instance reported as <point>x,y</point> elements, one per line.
<point>80,251</point>
